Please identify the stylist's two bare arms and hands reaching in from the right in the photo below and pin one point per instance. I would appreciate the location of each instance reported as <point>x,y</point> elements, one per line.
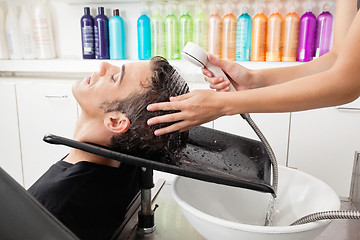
<point>330,80</point>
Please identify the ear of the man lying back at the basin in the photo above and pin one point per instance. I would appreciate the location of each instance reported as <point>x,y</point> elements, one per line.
<point>117,122</point>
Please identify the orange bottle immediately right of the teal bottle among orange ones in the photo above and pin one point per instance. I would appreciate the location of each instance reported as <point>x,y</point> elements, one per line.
<point>258,43</point>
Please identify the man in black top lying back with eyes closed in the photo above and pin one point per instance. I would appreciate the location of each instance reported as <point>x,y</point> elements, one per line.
<point>88,193</point>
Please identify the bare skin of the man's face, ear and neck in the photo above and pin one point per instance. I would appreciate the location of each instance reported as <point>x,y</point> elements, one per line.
<point>94,125</point>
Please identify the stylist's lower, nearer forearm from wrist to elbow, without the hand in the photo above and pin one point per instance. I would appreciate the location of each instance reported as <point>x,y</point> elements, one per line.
<point>324,89</point>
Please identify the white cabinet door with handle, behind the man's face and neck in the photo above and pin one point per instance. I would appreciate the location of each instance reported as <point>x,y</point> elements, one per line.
<point>44,108</point>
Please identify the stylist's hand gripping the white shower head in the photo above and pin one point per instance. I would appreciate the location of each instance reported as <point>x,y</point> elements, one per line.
<point>237,74</point>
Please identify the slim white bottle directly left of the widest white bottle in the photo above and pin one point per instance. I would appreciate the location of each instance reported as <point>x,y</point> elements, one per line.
<point>26,33</point>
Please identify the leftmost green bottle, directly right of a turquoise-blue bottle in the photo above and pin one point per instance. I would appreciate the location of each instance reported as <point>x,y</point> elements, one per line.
<point>157,35</point>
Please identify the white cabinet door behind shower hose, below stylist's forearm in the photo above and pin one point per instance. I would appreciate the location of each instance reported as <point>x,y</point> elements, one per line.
<point>275,128</point>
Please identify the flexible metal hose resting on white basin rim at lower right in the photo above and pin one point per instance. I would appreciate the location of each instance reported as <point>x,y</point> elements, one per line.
<point>327,215</point>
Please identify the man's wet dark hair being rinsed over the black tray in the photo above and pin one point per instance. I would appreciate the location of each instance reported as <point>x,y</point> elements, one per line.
<point>140,139</point>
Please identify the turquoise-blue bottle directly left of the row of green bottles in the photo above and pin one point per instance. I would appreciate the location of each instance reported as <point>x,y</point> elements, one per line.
<point>144,37</point>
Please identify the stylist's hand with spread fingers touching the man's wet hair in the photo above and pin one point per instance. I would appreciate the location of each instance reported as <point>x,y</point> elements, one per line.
<point>196,108</point>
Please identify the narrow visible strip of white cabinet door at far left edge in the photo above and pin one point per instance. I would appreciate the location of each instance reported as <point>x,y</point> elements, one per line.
<point>10,156</point>
